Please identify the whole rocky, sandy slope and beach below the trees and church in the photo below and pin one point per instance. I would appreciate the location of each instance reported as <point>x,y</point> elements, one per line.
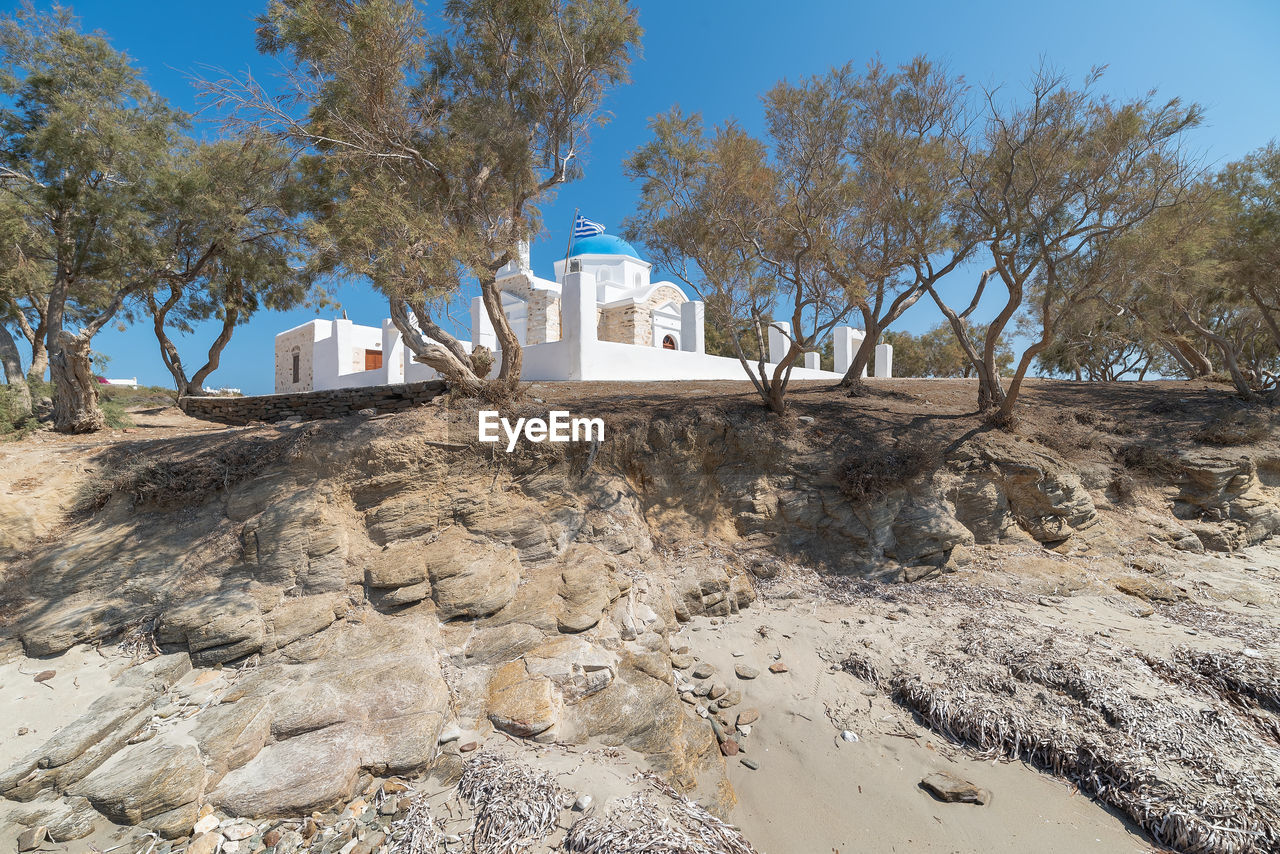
<point>314,610</point>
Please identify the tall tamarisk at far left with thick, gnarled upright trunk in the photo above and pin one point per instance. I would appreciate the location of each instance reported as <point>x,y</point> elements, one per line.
<point>81,141</point>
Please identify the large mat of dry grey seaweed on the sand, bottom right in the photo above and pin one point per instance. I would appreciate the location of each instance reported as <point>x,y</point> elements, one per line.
<point>1195,770</point>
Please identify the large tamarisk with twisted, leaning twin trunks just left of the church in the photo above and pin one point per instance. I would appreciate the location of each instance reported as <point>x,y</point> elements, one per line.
<point>437,148</point>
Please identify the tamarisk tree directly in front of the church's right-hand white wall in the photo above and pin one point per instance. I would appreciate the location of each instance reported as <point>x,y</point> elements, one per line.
<point>753,229</point>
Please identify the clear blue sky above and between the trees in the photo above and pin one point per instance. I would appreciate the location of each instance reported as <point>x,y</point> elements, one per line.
<point>716,57</point>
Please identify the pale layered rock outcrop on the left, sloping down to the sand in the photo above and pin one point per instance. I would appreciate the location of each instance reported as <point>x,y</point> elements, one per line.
<point>362,611</point>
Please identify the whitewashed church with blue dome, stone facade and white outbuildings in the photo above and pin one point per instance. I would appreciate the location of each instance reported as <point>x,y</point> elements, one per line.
<point>601,319</point>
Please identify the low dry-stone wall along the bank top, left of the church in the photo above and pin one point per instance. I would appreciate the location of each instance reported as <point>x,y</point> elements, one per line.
<point>309,407</point>
